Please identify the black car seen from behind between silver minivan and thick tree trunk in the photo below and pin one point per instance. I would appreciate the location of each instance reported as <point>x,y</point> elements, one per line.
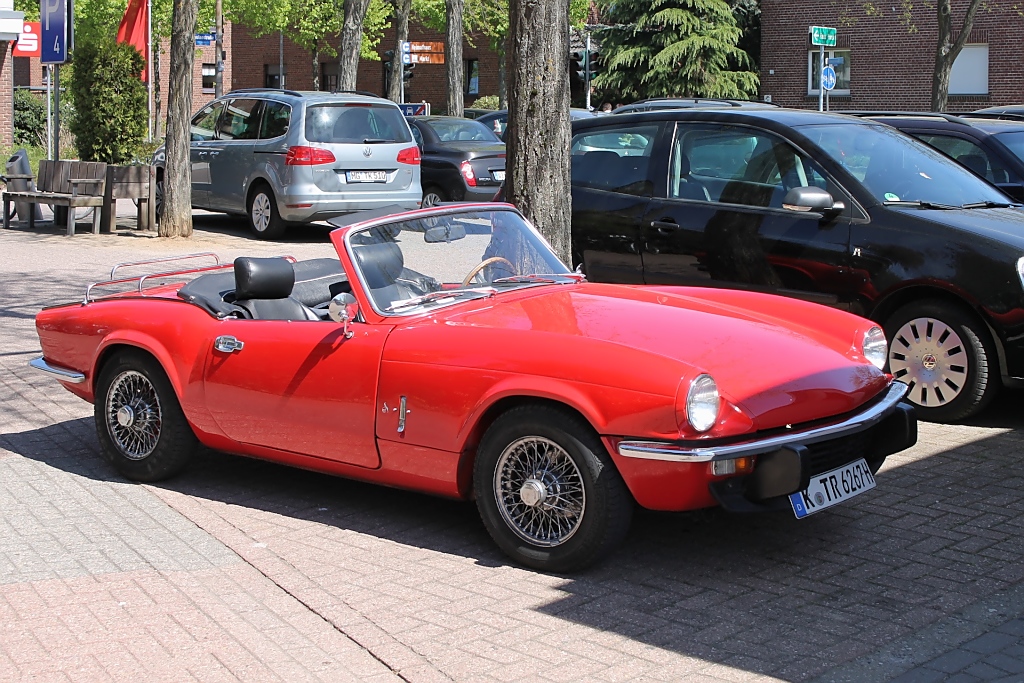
<point>463,160</point>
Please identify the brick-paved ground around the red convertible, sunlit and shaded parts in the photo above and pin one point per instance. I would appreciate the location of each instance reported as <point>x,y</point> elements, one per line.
<point>246,571</point>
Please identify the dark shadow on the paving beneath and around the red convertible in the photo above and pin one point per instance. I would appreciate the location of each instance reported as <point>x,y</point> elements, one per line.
<point>763,593</point>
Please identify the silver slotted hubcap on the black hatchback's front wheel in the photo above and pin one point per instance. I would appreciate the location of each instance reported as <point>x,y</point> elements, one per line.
<point>930,357</point>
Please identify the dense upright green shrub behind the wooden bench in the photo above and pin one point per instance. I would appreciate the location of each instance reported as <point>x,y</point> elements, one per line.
<point>110,102</point>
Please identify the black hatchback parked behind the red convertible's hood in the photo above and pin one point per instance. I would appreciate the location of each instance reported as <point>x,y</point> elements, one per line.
<point>838,210</point>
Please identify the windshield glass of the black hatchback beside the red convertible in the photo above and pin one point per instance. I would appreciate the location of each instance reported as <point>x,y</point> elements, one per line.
<point>895,167</point>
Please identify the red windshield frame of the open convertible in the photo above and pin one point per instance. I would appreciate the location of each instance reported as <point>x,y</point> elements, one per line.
<point>465,208</point>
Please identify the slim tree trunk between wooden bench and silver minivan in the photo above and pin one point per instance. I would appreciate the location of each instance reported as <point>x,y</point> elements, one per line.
<point>176,221</point>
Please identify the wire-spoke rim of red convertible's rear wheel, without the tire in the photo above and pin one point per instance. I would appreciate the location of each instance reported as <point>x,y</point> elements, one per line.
<point>134,415</point>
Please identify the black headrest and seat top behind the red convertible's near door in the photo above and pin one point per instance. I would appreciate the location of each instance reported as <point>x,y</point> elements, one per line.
<point>264,290</point>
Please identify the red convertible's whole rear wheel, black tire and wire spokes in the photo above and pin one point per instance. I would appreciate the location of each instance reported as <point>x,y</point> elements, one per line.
<point>143,432</point>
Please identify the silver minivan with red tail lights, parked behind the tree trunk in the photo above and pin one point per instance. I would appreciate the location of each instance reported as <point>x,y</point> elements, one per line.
<point>283,156</point>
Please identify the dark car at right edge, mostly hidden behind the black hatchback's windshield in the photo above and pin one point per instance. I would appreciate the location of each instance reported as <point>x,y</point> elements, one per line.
<point>992,148</point>
